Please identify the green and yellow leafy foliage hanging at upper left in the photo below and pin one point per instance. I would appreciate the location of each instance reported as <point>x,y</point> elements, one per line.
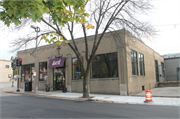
<point>61,11</point>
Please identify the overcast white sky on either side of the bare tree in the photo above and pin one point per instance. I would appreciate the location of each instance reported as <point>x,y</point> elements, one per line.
<point>165,18</point>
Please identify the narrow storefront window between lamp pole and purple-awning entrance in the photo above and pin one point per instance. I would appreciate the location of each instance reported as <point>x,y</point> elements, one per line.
<point>42,71</point>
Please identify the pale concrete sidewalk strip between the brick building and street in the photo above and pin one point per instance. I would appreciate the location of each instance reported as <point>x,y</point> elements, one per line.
<point>139,99</point>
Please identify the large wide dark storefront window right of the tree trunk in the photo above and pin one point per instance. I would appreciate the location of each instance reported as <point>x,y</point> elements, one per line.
<point>104,66</point>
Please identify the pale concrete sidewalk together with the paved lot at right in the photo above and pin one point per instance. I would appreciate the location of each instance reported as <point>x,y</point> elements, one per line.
<point>163,96</point>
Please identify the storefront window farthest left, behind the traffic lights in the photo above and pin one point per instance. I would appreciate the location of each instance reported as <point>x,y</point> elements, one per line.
<point>27,72</point>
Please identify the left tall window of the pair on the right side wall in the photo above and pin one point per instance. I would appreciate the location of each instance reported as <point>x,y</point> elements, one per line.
<point>134,62</point>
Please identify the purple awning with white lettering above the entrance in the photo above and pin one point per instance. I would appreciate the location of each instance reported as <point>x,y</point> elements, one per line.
<point>58,62</point>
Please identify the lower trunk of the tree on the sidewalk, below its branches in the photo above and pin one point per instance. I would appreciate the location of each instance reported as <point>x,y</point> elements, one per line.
<point>86,83</point>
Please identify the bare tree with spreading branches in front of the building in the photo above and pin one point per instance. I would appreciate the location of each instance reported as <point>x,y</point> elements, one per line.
<point>106,15</point>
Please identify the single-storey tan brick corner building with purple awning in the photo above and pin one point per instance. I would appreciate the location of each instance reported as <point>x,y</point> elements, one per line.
<point>123,65</point>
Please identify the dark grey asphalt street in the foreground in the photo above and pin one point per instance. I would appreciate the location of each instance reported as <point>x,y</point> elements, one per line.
<point>23,106</point>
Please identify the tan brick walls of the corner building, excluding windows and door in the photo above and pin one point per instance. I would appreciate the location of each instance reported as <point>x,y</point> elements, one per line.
<point>110,43</point>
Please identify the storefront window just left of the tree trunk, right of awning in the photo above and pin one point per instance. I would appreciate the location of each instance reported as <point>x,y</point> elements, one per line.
<point>77,74</point>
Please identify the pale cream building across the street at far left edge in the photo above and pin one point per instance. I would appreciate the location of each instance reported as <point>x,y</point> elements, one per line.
<point>5,70</point>
